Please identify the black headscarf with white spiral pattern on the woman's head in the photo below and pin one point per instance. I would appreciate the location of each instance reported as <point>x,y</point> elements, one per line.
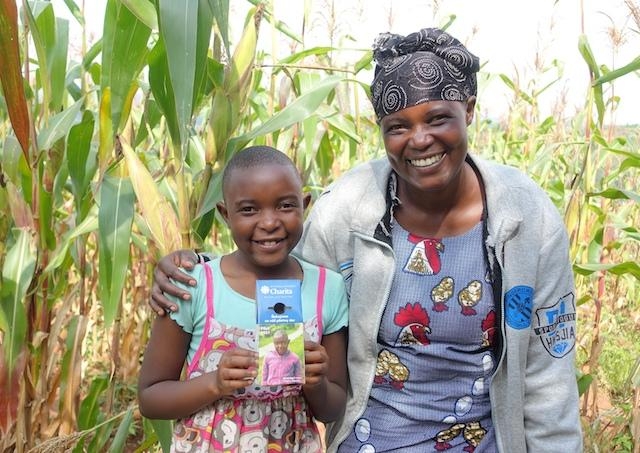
<point>428,65</point>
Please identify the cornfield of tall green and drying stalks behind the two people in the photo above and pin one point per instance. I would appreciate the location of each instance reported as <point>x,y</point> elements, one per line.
<point>112,139</point>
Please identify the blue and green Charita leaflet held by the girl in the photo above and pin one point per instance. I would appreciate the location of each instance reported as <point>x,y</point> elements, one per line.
<point>280,332</point>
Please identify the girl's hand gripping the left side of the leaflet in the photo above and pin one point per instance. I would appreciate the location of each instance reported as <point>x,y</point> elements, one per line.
<point>237,369</point>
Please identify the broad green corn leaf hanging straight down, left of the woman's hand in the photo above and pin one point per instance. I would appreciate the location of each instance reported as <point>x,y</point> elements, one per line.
<point>114,220</point>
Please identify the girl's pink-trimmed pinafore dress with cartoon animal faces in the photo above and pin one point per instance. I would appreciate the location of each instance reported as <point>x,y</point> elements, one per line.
<point>256,419</point>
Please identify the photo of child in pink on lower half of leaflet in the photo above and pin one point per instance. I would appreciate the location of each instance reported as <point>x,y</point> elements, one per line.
<point>281,365</point>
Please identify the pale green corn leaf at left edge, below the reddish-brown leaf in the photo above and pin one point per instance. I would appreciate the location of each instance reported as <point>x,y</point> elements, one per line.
<point>17,273</point>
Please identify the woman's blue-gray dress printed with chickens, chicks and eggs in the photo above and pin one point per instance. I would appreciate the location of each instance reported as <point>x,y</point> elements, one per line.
<point>435,351</point>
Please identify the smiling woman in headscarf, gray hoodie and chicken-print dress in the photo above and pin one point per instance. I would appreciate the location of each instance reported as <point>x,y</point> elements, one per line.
<point>462,307</point>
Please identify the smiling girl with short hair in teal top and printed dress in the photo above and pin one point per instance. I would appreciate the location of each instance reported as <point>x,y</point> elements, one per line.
<point>219,406</point>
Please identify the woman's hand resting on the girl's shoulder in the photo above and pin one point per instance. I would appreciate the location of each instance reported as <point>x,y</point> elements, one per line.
<point>168,268</point>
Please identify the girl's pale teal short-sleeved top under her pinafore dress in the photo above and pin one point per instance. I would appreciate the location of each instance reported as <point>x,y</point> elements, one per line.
<point>234,309</point>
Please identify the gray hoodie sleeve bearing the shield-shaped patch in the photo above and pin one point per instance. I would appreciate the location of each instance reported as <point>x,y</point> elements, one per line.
<point>551,412</point>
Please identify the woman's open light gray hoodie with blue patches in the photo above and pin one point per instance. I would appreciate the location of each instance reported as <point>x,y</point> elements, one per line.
<point>534,396</point>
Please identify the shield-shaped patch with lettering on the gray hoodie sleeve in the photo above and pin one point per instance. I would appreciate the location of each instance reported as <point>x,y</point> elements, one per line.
<point>556,326</point>
